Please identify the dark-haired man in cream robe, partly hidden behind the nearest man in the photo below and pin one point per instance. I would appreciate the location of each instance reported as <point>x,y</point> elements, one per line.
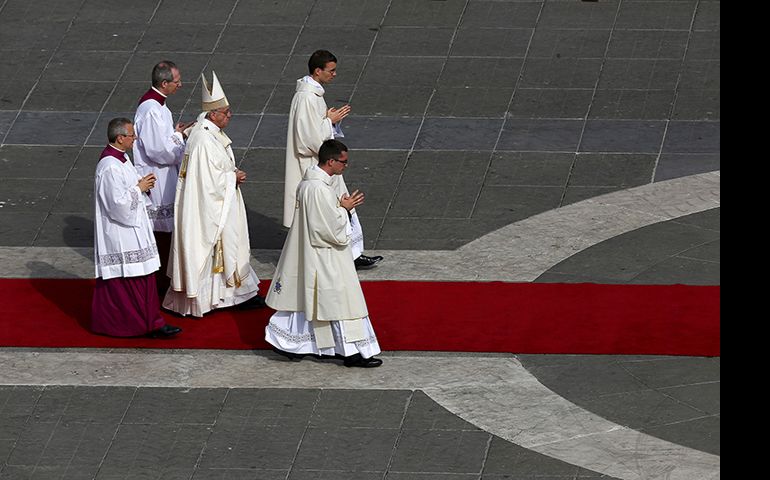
<point>310,124</point>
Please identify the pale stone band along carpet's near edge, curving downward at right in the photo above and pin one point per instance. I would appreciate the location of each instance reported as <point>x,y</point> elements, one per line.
<point>494,393</point>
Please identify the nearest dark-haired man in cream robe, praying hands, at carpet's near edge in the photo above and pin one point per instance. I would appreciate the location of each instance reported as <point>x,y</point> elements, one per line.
<point>320,306</point>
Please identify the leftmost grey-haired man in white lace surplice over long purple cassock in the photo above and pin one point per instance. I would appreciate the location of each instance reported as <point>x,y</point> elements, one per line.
<point>125,301</point>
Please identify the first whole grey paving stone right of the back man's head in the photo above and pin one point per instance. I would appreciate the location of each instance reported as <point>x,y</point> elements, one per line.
<point>409,71</point>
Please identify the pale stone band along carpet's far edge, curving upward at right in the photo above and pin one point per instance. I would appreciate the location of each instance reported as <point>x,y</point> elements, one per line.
<point>519,252</point>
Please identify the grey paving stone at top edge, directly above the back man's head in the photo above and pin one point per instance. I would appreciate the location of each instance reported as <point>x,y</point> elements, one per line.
<point>337,13</point>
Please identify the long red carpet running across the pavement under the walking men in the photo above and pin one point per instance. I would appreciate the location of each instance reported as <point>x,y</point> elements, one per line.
<point>452,316</point>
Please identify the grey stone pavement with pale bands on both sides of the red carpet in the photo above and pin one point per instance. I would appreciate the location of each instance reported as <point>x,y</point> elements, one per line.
<point>531,140</point>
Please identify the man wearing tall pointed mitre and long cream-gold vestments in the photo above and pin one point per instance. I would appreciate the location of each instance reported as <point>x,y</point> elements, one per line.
<point>210,248</point>
